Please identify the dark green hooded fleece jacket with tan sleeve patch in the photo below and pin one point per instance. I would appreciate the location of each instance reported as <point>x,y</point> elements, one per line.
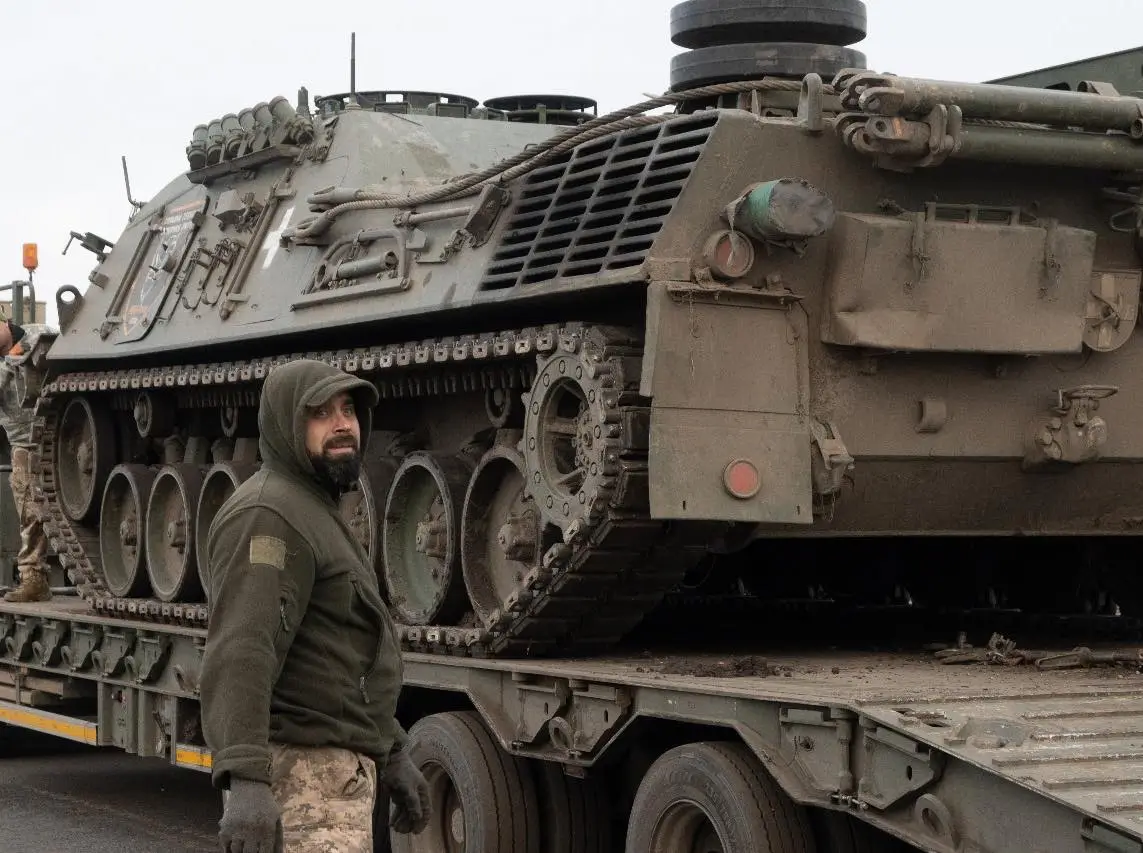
<point>301,648</point>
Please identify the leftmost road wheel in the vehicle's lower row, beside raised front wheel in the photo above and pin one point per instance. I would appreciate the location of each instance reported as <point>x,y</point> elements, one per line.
<point>123,551</point>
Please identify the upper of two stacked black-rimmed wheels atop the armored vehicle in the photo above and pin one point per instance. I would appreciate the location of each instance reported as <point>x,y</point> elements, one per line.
<point>707,23</point>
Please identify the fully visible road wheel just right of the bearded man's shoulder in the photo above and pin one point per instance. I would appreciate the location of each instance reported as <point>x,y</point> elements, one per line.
<point>421,567</point>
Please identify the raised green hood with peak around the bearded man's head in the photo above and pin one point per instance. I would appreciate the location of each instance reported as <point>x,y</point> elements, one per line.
<point>286,394</point>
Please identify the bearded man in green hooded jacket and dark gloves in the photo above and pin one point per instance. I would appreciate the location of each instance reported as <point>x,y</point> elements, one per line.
<point>302,667</point>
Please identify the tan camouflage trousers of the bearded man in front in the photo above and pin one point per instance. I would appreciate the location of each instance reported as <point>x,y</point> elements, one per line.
<point>326,796</point>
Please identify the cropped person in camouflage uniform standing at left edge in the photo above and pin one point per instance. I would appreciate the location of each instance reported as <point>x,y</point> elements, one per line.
<point>17,344</point>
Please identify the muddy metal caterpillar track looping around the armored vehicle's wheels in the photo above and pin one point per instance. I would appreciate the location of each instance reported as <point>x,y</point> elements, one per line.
<point>586,593</point>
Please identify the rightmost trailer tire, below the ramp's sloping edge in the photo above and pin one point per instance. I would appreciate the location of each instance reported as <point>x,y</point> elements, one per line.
<point>728,787</point>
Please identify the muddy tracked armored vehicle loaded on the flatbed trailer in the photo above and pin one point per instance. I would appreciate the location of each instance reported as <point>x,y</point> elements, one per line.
<point>634,355</point>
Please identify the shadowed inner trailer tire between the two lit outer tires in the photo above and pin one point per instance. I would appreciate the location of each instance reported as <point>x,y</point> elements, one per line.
<point>576,812</point>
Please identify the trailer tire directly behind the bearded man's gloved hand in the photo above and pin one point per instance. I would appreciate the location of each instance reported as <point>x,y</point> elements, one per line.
<point>494,791</point>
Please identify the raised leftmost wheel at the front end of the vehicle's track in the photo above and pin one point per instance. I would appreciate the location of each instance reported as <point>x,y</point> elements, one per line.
<point>85,456</point>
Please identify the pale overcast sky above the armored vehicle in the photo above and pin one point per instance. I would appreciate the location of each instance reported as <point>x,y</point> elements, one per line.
<point>89,83</point>
